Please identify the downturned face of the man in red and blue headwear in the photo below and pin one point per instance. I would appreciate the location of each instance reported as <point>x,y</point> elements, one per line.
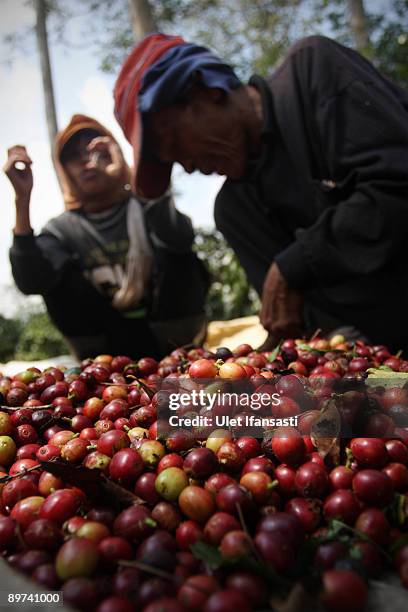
<point>202,134</point>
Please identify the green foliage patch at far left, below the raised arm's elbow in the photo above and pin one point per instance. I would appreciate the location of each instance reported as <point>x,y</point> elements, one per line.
<point>39,339</point>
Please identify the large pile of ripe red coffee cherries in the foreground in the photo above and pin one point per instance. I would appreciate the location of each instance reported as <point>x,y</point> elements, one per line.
<point>213,521</point>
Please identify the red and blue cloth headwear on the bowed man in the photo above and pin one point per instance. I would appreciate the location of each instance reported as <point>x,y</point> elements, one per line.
<point>157,74</point>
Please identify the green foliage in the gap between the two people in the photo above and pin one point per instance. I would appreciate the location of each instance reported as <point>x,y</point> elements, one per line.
<point>230,295</point>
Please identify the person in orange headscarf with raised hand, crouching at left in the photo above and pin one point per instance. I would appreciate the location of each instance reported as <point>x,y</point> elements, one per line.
<point>117,273</point>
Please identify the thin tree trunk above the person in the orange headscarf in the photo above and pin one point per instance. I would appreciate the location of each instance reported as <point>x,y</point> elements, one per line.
<point>42,43</point>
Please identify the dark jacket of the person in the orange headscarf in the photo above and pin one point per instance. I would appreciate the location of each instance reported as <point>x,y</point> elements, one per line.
<point>49,265</point>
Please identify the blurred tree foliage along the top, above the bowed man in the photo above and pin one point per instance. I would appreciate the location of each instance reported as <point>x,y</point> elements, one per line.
<point>253,35</point>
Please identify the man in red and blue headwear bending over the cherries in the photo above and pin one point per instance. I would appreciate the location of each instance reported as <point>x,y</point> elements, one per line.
<point>315,203</point>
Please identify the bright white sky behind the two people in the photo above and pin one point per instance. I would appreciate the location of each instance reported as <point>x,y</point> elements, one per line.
<point>79,87</point>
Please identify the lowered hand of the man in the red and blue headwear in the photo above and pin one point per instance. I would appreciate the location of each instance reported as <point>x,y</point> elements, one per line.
<point>281,311</point>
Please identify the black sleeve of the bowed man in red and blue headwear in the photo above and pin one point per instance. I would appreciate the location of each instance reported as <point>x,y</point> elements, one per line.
<point>360,125</point>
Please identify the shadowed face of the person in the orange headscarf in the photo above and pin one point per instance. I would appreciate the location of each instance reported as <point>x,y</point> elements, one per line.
<point>87,173</point>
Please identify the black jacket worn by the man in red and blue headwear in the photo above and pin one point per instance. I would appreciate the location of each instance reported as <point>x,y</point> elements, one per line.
<point>333,174</point>
